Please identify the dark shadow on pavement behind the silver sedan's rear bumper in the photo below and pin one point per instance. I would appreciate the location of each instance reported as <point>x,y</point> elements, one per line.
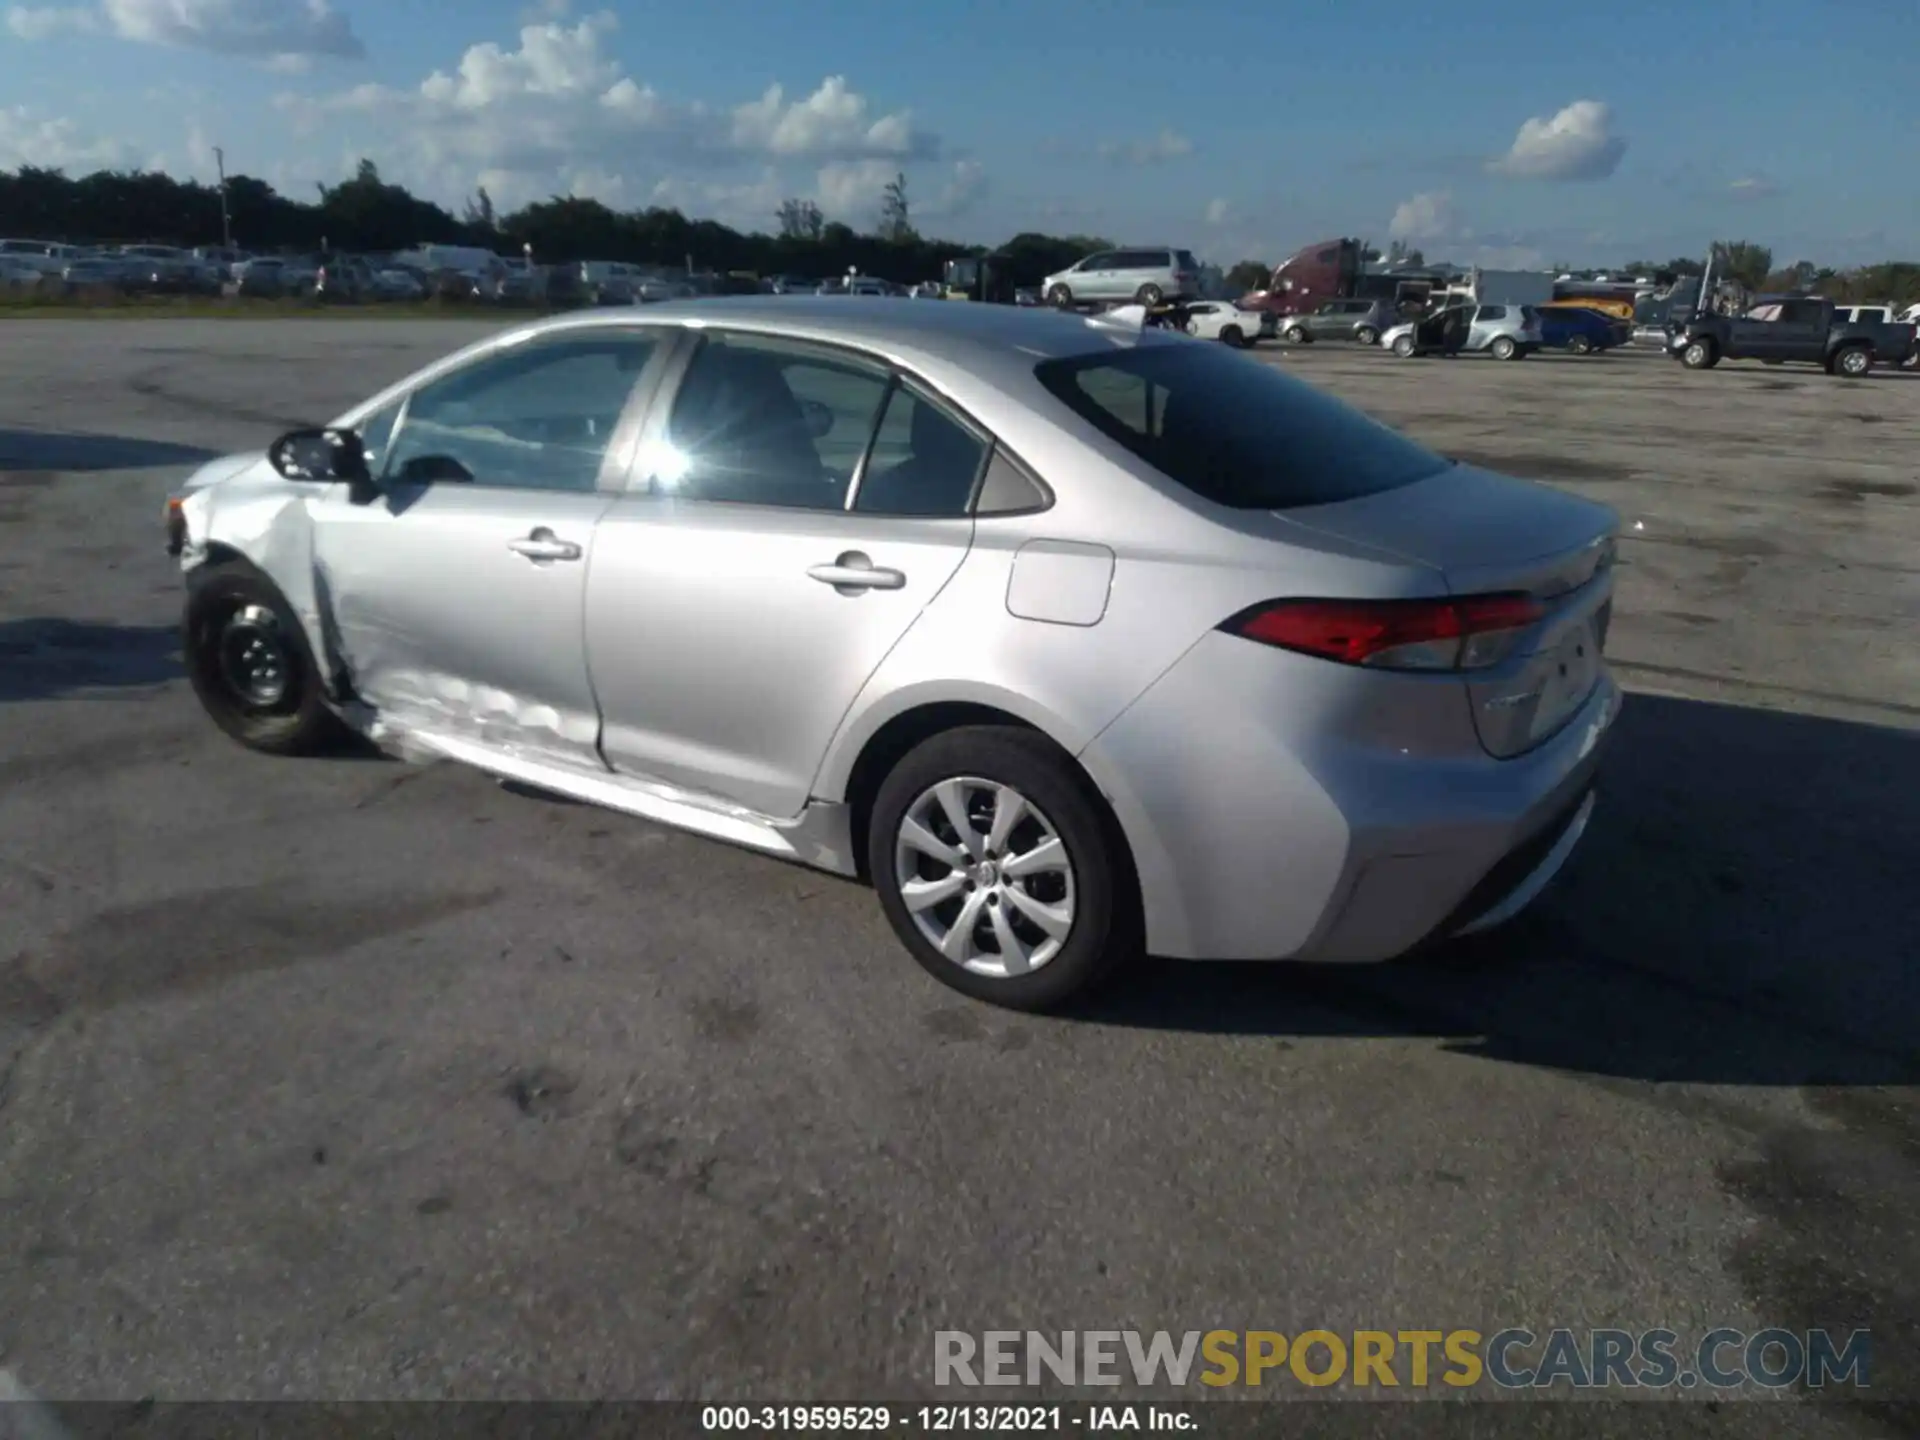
<point>1744,911</point>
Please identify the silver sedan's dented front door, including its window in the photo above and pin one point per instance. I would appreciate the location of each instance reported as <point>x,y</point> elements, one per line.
<point>456,598</point>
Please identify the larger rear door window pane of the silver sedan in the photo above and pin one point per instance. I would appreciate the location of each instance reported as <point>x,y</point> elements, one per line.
<point>771,423</point>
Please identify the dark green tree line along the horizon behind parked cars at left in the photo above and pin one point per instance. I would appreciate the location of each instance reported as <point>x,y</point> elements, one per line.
<point>368,214</point>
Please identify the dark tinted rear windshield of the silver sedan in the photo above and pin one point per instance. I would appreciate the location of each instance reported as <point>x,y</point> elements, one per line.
<point>1236,431</point>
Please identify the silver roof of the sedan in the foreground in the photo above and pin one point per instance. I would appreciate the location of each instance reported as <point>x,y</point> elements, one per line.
<point>965,335</point>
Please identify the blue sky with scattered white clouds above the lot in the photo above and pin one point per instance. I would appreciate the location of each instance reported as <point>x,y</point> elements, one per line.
<point>1489,132</point>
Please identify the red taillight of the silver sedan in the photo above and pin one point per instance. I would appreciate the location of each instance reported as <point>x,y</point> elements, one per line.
<point>1426,635</point>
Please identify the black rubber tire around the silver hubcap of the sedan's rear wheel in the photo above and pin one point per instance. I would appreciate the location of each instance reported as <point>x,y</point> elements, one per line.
<point>1105,930</point>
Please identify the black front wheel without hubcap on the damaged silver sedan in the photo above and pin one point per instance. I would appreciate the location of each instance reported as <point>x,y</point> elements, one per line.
<point>233,612</point>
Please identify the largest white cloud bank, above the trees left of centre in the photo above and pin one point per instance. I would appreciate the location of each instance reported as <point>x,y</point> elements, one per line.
<point>560,107</point>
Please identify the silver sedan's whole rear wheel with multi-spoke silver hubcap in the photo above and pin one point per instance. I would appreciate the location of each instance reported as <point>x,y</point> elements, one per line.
<point>999,869</point>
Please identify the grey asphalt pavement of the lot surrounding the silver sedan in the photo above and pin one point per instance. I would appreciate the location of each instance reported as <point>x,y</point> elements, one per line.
<point>345,1078</point>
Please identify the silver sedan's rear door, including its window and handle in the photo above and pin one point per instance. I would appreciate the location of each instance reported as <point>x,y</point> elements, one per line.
<point>792,514</point>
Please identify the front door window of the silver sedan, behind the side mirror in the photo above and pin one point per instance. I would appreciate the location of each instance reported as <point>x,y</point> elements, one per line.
<point>531,418</point>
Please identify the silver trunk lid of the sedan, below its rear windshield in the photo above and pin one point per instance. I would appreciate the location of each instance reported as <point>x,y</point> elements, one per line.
<point>1487,535</point>
